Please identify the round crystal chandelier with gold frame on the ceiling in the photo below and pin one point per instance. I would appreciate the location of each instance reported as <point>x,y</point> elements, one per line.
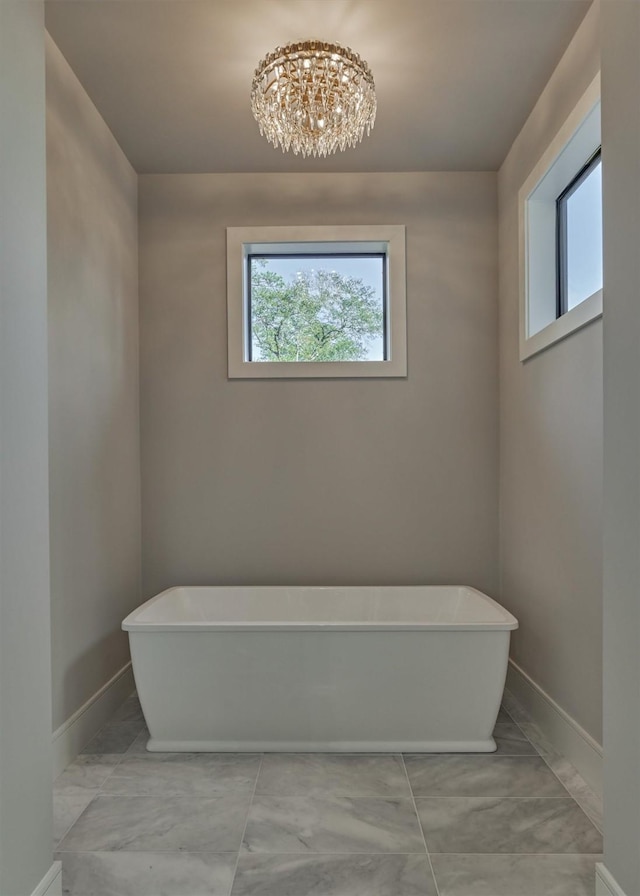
<point>313,97</point>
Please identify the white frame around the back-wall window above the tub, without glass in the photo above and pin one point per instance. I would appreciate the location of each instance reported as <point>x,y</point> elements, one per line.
<point>388,239</point>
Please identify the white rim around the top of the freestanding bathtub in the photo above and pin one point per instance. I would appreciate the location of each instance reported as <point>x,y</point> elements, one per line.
<point>133,624</point>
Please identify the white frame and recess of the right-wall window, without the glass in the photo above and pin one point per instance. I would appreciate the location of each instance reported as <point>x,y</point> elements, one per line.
<point>575,142</point>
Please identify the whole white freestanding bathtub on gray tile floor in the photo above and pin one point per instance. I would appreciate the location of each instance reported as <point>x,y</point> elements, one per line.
<point>364,669</point>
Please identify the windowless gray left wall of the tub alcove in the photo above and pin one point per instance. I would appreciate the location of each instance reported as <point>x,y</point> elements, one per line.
<point>93,391</point>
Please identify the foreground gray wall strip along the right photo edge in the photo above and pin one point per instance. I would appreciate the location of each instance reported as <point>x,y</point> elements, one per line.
<point>621,189</point>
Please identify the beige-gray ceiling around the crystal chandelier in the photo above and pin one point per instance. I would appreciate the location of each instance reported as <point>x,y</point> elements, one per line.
<point>455,79</point>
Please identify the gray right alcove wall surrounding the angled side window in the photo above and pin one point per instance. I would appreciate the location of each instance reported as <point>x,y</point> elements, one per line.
<point>551,446</point>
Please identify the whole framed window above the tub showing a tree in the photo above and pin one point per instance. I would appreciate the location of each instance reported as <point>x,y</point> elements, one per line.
<point>316,301</point>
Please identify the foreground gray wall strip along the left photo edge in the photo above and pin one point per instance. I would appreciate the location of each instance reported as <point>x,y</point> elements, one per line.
<point>25,674</point>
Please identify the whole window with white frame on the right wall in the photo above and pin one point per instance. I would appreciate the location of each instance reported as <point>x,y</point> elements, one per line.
<point>560,210</point>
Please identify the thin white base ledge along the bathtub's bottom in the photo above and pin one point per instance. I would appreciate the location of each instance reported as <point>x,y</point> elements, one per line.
<point>288,746</point>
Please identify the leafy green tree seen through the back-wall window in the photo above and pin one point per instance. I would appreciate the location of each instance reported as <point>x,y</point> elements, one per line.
<point>314,315</point>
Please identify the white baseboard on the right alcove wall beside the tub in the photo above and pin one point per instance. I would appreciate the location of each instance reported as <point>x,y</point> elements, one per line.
<point>561,730</point>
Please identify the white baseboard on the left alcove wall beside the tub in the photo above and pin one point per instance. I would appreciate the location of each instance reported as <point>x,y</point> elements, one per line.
<point>69,739</point>
